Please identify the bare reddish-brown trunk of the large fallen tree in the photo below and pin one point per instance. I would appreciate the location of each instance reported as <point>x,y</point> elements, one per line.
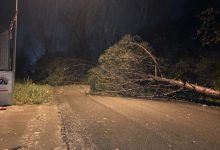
<point>196,88</point>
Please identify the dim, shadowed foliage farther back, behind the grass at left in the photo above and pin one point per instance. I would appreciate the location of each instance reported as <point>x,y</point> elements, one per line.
<point>60,70</point>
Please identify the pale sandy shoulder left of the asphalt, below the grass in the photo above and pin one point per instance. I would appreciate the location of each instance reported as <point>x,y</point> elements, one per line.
<point>31,127</point>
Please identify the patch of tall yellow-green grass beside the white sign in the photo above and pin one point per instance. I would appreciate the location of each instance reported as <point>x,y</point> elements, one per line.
<point>31,93</point>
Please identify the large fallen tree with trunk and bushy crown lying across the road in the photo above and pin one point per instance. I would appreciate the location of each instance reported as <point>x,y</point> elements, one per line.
<point>129,68</point>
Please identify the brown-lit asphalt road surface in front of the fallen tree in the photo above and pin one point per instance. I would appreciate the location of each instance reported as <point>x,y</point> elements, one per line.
<point>108,123</point>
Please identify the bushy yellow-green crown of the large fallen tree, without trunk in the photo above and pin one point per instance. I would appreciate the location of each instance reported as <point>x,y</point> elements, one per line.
<point>123,68</point>
